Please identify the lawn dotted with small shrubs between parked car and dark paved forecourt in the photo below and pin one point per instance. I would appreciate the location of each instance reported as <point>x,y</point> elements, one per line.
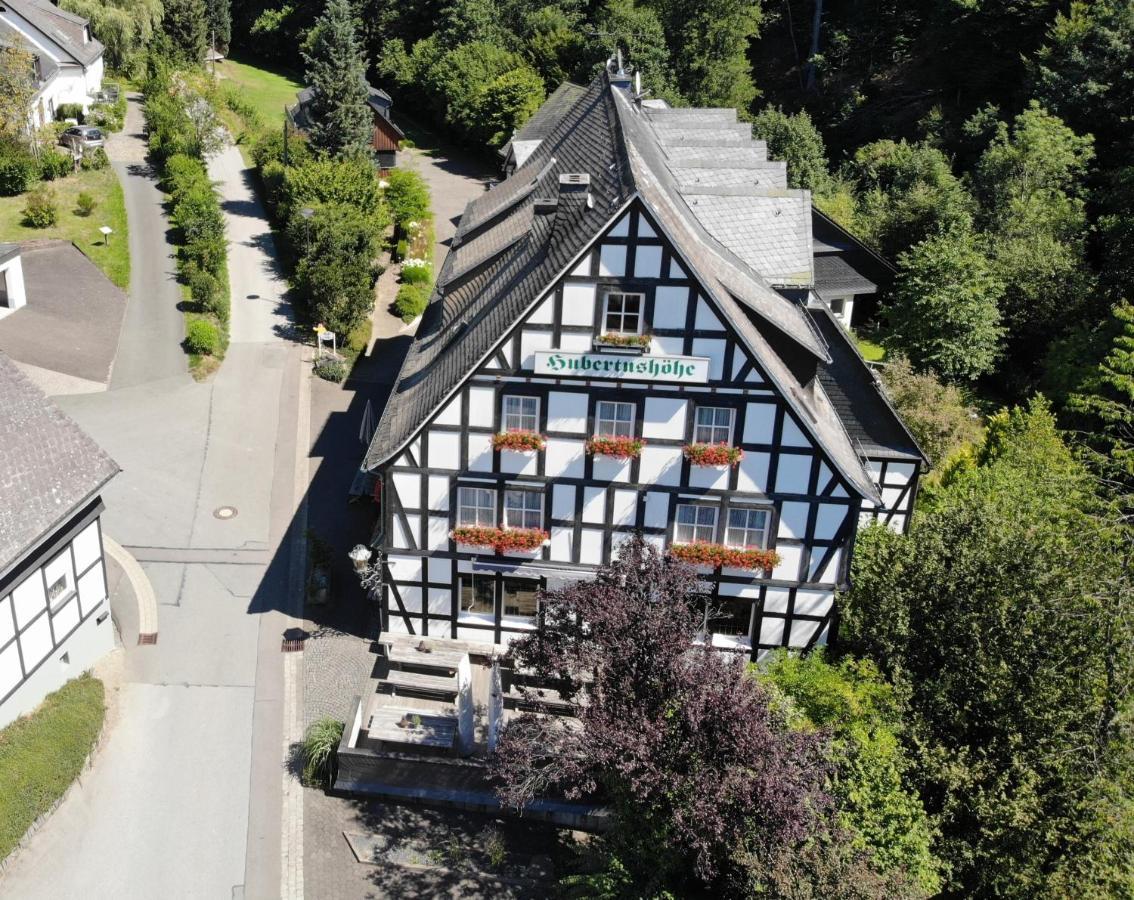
<point>113,259</point>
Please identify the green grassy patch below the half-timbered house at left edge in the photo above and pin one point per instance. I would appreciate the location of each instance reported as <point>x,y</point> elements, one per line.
<point>43,754</point>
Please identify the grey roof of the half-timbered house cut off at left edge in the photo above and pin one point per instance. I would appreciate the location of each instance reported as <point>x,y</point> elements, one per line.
<point>49,468</point>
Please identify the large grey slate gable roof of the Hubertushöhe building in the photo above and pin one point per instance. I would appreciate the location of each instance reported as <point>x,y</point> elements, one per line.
<point>520,251</point>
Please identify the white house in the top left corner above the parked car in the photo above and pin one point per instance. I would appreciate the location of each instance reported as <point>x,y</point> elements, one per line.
<point>69,61</point>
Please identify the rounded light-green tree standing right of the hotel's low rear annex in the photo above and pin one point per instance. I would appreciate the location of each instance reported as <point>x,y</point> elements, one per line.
<point>944,315</point>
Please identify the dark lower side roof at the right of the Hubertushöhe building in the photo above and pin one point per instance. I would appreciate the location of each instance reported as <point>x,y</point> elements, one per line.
<point>860,400</point>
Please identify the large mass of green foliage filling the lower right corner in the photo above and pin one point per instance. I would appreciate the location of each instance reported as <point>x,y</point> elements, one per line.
<point>1013,644</point>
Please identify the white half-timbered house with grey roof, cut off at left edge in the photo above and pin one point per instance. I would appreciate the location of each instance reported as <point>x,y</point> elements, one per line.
<point>55,615</point>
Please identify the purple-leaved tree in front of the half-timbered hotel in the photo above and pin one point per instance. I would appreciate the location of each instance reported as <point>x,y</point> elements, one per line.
<point>696,762</point>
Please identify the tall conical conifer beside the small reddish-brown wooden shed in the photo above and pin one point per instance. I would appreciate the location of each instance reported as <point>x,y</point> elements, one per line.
<point>342,121</point>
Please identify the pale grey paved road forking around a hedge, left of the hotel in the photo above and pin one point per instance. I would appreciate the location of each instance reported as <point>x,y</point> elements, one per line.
<point>185,799</point>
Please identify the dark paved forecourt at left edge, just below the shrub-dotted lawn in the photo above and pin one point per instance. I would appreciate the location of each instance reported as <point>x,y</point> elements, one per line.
<point>66,337</point>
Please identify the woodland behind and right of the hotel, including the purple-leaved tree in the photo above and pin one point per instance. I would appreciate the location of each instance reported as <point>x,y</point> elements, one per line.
<point>975,727</point>
